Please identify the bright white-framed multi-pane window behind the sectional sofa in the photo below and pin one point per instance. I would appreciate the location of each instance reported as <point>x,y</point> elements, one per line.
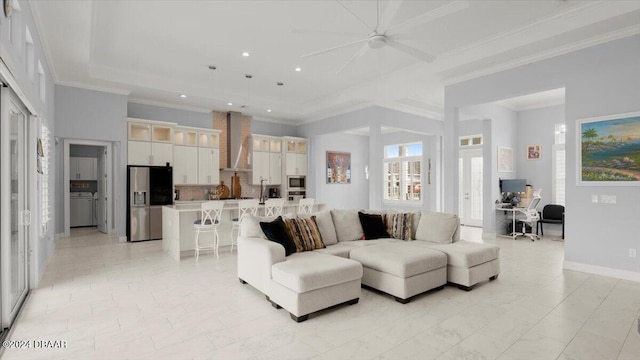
<point>403,172</point>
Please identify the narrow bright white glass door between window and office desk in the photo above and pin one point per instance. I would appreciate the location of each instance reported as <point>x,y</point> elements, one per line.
<point>470,185</point>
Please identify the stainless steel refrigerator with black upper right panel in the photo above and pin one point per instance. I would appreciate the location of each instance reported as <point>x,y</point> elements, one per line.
<point>149,188</point>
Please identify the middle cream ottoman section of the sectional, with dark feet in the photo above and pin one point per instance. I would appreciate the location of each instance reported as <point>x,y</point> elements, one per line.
<point>402,271</point>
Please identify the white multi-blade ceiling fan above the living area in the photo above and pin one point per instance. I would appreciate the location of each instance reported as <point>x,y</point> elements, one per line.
<point>384,34</point>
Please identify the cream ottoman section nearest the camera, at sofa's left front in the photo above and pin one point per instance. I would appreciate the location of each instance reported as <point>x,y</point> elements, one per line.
<point>309,281</point>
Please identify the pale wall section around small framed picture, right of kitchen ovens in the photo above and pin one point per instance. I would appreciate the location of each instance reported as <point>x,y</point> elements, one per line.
<point>353,195</point>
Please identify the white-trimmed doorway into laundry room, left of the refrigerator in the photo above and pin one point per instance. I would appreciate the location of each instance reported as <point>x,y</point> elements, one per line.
<point>88,179</point>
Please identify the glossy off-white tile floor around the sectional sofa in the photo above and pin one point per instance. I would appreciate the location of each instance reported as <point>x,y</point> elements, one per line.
<point>110,300</point>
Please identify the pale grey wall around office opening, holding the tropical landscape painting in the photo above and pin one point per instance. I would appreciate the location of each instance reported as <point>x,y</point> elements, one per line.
<point>600,80</point>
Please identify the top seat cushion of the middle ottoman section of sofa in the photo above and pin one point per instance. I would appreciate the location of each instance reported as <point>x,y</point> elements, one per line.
<point>398,259</point>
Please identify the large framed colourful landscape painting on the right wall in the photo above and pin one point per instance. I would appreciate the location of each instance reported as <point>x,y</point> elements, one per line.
<point>608,150</point>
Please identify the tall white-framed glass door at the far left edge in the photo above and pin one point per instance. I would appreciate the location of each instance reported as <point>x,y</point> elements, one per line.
<point>16,218</point>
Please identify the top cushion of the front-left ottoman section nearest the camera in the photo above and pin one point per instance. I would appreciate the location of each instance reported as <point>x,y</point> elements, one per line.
<point>303,272</point>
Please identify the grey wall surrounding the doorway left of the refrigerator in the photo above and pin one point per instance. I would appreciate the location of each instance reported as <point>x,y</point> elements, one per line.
<point>93,115</point>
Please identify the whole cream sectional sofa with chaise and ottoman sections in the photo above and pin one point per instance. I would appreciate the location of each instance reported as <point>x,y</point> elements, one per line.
<point>305,282</point>
